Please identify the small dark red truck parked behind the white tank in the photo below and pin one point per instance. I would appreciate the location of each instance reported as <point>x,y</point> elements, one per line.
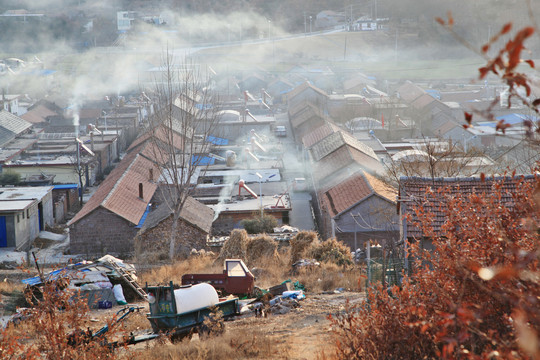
<point>236,278</point>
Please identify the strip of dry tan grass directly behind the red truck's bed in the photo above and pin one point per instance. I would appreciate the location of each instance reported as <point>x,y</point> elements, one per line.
<point>174,272</point>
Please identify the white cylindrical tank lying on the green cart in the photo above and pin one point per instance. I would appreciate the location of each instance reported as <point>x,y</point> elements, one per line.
<point>195,297</point>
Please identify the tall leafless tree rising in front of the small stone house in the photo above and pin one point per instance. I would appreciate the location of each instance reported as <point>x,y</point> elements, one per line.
<point>180,133</point>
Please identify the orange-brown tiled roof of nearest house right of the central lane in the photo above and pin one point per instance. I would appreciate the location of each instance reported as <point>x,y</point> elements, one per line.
<point>354,190</point>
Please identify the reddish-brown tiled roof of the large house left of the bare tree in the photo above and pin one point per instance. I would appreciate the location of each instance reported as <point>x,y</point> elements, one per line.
<point>119,192</point>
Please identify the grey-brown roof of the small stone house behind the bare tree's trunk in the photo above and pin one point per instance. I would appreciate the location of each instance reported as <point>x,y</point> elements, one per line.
<point>193,212</point>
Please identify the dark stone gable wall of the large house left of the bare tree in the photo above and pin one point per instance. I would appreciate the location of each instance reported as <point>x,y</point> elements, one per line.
<point>102,232</point>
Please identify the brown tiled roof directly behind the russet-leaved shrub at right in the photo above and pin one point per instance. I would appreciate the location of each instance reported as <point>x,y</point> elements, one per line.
<point>414,191</point>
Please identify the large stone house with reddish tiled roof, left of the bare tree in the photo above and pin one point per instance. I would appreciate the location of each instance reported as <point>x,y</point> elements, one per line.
<point>118,206</point>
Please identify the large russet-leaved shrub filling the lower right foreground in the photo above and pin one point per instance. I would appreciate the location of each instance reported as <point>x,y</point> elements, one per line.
<point>476,296</point>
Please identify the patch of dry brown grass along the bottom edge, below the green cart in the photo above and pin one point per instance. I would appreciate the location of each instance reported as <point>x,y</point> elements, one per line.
<point>242,344</point>
